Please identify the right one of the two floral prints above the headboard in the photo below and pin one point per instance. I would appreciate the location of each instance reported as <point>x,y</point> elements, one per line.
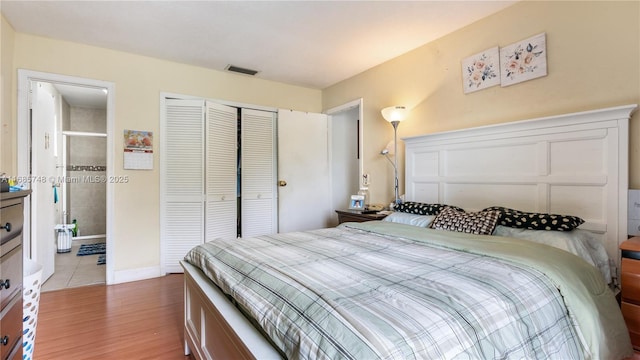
<point>523,61</point>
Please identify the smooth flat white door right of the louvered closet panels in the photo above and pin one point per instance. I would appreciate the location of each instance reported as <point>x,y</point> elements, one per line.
<point>304,203</point>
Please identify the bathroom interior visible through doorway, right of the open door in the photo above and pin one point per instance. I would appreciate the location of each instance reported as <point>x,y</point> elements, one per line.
<point>80,257</point>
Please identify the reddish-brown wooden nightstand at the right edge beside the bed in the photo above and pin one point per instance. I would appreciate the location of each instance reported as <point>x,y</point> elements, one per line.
<point>630,282</point>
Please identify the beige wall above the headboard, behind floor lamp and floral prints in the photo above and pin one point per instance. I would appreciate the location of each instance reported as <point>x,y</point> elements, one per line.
<point>592,59</point>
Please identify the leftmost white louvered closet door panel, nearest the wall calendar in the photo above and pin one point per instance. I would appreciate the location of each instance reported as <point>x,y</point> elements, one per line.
<point>181,180</point>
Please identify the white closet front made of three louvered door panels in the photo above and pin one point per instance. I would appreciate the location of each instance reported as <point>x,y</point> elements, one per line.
<point>218,175</point>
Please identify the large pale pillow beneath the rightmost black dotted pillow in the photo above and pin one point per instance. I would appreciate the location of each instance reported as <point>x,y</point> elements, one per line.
<point>579,242</point>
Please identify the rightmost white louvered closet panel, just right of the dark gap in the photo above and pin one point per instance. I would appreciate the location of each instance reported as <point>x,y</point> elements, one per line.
<point>258,173</point>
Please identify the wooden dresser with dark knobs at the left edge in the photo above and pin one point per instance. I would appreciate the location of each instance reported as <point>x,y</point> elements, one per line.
<point>11,223</point>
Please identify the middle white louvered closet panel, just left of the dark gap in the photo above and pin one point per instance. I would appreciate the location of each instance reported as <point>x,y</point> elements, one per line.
<point>221,178</point>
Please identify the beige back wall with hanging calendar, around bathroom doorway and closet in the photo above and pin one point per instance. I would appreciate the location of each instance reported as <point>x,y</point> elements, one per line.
<point>138,82</point>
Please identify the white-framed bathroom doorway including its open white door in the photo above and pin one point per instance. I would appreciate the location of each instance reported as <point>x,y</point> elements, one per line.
<point>66,127</point>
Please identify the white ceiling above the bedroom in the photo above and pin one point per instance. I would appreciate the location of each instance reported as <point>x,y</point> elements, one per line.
<point>309,43</point>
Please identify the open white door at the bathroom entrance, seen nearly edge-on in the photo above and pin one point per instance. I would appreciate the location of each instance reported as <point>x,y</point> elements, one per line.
<point>43,170</point>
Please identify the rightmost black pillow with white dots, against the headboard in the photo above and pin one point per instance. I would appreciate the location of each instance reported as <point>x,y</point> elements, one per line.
<point>536,221</point>
